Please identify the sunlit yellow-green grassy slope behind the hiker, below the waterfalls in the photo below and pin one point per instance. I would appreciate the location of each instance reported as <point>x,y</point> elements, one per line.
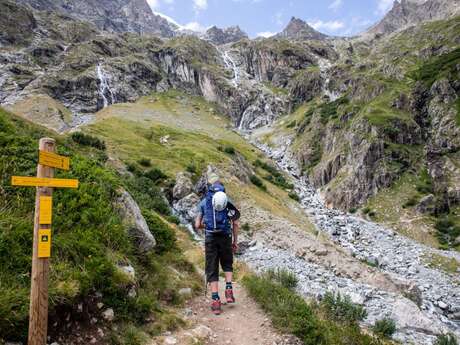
<point>196,131</point>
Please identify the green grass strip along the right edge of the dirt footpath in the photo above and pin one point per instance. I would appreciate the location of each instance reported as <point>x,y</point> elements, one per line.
<point>310,322</point>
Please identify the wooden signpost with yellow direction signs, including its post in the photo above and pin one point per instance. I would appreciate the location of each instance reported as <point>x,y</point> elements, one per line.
<point>48,160</point>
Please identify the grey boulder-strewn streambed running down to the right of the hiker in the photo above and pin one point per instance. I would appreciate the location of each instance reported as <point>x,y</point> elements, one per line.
<point>427,301</point>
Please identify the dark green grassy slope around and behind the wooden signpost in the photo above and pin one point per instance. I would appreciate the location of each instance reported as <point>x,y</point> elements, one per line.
<point>89,240</point>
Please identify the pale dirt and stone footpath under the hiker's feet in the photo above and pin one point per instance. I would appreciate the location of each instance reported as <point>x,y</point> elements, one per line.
<point>242,323</point>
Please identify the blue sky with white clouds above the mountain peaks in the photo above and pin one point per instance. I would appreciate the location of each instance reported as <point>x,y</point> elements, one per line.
<point>264,17</point>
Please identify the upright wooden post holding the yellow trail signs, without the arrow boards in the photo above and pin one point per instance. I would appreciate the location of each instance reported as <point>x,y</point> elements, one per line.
<point>38,315</point>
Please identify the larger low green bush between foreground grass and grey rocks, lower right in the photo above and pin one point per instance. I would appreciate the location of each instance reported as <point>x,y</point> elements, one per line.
<point>342,309</point>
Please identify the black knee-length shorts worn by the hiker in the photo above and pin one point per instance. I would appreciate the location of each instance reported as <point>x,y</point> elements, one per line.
<point>218,248</point>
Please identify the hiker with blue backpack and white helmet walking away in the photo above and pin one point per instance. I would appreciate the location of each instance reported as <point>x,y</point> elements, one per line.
<point>219,217</point>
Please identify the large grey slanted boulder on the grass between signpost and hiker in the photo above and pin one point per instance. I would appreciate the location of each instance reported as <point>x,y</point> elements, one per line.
<point>135,222</point>
